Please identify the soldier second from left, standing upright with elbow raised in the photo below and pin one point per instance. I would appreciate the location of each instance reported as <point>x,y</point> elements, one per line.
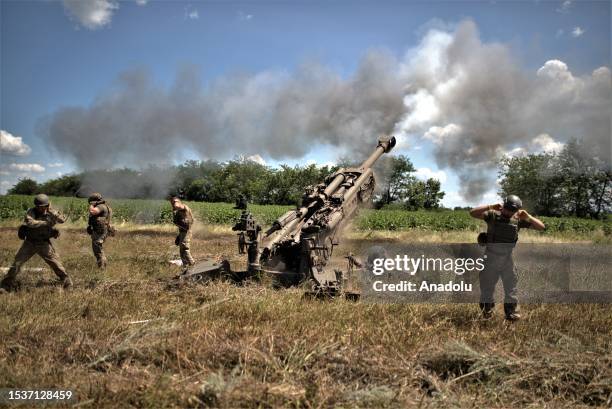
<point>99,226</point>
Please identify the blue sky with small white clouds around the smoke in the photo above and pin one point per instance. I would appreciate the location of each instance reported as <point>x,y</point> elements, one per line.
<point>54,56</point>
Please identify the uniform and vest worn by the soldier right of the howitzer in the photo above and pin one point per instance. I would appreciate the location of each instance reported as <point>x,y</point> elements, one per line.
<point>502,235</point>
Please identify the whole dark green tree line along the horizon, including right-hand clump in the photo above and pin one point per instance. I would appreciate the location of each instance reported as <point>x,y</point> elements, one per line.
<point>573,182</point>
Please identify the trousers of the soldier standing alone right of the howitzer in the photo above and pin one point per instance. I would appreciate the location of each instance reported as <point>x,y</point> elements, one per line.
<point>497,266</point>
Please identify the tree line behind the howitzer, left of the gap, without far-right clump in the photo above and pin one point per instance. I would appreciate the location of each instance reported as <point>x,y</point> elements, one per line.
<point>212,181</point>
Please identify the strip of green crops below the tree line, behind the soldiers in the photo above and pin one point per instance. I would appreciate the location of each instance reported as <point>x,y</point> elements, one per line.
<point>12,207</point>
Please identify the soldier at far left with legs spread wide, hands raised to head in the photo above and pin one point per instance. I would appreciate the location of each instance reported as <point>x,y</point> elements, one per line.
<point>36,231</point>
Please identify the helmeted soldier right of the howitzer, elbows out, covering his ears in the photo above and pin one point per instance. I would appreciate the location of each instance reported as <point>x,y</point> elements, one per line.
<point>503,224</point>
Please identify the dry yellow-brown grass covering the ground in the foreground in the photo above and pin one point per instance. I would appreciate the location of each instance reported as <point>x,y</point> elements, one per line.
<point>123,338</point>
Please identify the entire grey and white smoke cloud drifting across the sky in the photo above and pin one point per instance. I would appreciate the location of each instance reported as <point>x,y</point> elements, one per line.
<point>470,99</point>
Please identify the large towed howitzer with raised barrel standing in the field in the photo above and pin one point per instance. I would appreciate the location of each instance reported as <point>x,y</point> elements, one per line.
<point>299,244</point>
